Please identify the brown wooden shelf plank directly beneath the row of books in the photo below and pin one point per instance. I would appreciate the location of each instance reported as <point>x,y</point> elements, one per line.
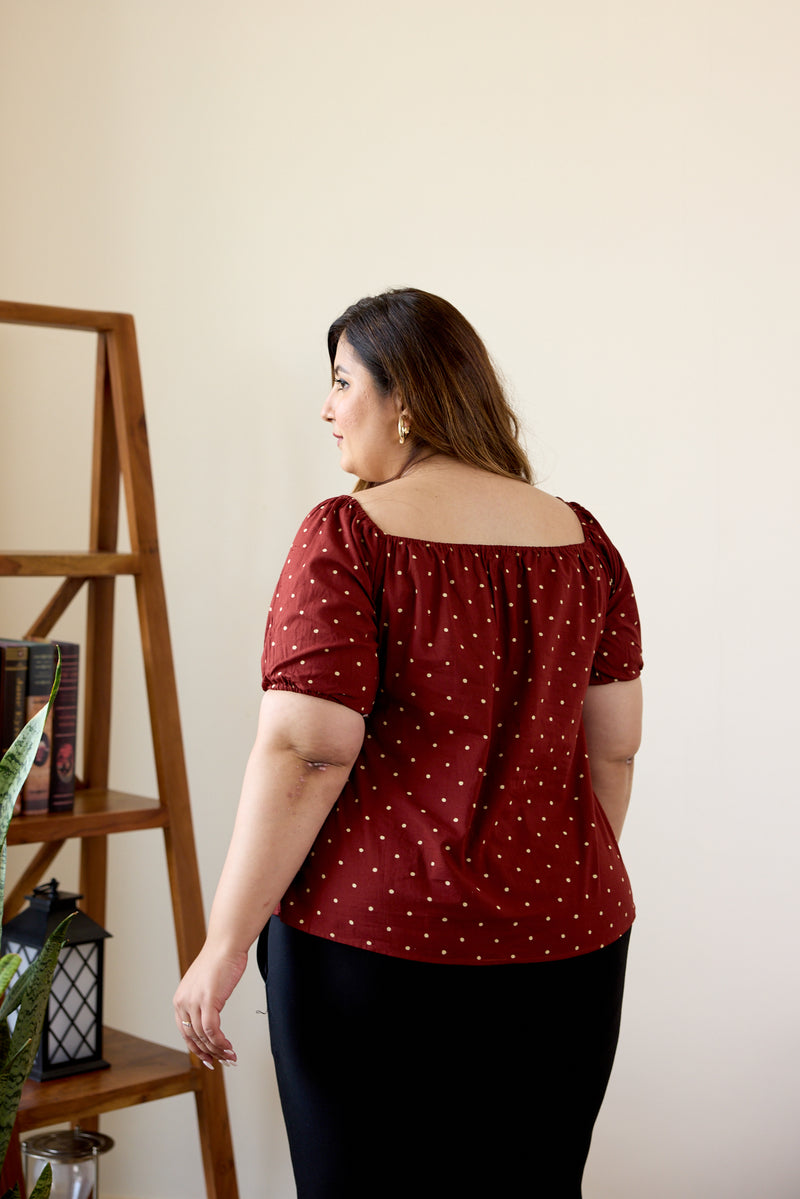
<point>97,814</point>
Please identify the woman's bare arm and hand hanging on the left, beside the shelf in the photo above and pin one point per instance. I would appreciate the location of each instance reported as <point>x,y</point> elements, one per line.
<point>305,749</point>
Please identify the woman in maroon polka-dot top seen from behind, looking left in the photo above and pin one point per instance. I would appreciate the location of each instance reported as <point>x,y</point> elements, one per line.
<point>442,769</point>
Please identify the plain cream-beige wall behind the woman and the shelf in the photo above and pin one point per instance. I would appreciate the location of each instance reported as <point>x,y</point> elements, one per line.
<point>609,189</point>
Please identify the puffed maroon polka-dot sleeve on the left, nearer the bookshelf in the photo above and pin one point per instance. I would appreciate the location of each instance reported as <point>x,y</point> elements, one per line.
<point>322,635</point>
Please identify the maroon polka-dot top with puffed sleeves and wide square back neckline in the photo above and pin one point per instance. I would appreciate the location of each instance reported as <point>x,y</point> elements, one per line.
<point>468,830</point>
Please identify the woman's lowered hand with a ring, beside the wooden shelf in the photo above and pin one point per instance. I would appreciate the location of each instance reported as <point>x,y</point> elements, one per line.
<point>200,1001</point>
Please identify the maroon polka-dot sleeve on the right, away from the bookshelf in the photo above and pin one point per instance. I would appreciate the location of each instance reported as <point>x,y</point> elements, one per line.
<point>618,655</point>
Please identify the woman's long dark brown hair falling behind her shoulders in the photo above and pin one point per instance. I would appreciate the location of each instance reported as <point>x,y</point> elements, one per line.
<point>423,347</point>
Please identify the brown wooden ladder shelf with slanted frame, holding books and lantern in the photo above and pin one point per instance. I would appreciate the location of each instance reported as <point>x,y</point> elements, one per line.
<point>140,1071</point>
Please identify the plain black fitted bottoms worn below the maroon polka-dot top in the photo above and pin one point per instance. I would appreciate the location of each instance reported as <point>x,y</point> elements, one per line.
<point>426,1081</point>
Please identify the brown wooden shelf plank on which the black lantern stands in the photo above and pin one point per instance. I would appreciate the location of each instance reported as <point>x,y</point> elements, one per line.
<point>140,1071</point>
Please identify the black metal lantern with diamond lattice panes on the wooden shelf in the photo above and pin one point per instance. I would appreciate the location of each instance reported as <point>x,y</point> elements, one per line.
<point>73,1035</point>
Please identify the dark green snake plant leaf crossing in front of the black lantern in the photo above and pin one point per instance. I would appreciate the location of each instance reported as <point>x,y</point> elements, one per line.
<point>28,1032</point>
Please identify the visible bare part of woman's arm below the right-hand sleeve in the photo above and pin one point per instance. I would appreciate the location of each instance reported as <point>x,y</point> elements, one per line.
<point>612,721</point>
